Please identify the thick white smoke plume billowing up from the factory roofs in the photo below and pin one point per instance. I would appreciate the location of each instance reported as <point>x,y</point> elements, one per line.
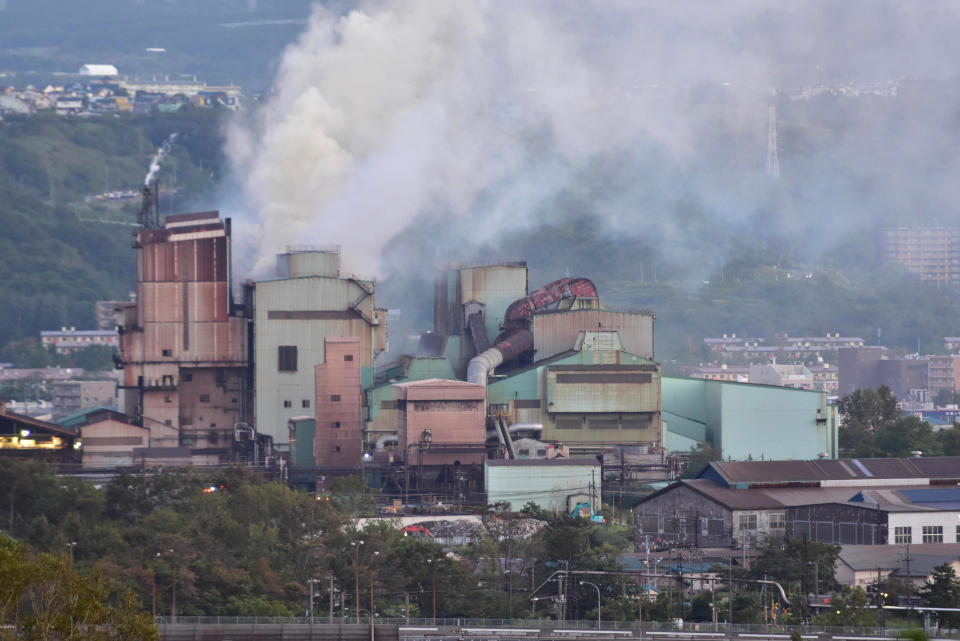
<point>476,115</point>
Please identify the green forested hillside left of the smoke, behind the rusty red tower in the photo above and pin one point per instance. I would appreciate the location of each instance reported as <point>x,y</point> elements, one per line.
<point>59,256</point>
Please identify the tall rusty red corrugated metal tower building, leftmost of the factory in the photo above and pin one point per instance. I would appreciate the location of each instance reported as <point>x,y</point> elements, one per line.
<point>183,346</point>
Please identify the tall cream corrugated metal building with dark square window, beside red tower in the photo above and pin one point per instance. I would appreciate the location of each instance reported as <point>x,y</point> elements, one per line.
<point>310,301</point>
